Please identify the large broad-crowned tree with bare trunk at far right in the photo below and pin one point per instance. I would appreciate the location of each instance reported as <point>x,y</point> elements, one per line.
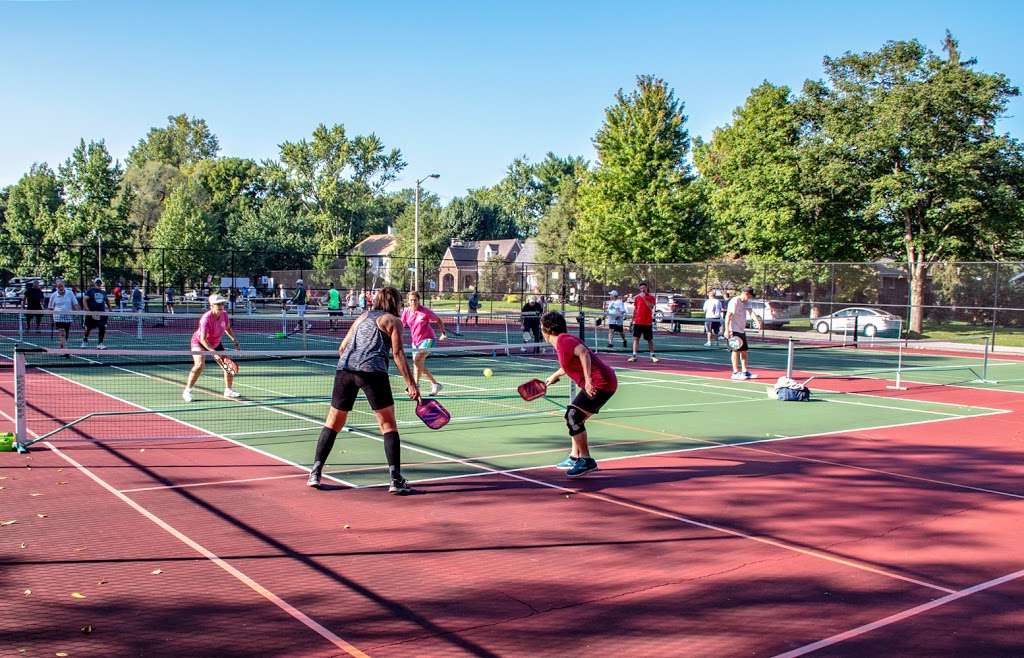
<point>919,130</point>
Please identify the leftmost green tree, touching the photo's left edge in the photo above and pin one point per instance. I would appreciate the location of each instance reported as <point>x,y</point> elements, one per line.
<point>32,207</point>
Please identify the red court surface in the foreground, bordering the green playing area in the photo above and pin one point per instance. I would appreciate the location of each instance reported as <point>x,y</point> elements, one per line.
<point>891,542</point>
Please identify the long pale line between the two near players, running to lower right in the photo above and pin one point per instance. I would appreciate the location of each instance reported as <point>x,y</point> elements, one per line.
<point>779,544</point>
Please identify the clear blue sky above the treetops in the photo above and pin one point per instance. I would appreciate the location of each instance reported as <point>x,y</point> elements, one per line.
<point>462,89</point>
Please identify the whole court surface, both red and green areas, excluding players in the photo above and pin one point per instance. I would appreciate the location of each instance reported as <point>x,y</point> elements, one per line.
<point>870,521</point>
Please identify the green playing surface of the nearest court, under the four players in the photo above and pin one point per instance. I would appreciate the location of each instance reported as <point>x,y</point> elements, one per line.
<point>285,404</point>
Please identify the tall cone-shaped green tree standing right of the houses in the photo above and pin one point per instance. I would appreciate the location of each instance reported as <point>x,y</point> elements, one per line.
<point>641,204</point>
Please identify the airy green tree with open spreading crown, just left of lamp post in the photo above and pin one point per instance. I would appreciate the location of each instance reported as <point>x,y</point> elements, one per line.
<point>340,182</point>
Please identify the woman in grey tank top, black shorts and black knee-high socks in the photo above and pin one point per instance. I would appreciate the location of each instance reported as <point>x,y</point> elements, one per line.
<point>363,366</point>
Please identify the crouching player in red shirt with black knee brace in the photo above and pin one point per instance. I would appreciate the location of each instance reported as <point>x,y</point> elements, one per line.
<point>598,384</point>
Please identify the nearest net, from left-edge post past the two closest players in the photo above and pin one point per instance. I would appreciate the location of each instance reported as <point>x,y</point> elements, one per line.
<point>117,396</point>
